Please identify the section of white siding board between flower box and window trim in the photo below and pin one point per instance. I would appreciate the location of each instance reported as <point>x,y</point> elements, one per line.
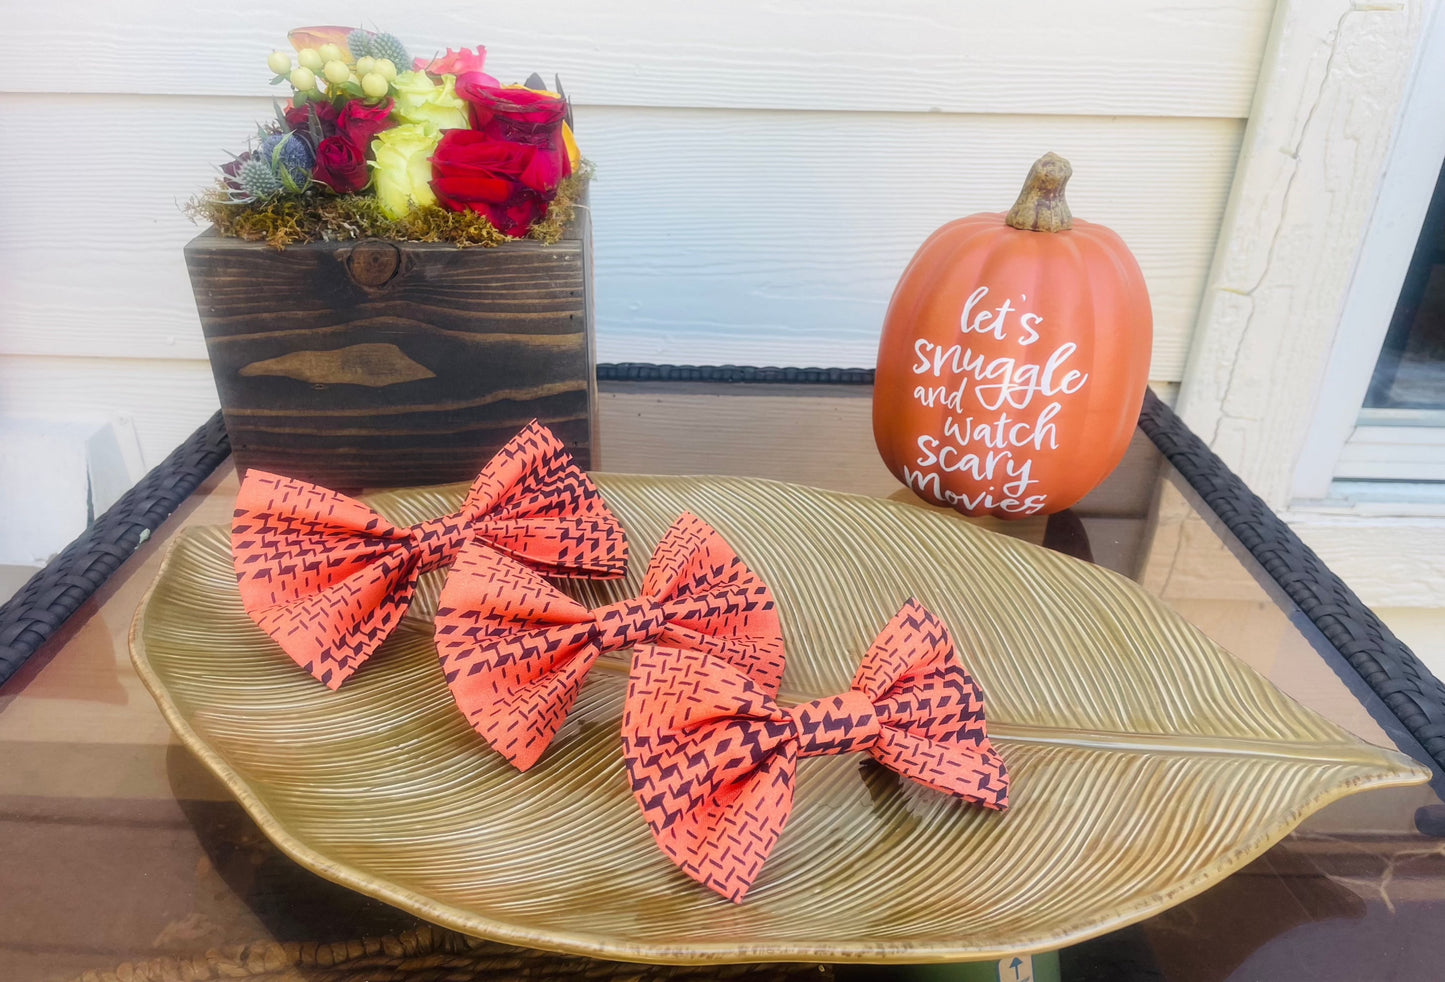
<point>781,236</point>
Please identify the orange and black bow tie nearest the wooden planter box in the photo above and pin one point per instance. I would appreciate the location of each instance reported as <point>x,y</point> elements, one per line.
<point>329,578</point>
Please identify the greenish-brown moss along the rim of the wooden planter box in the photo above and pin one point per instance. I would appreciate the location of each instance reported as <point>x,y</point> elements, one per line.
<point>317,216</point>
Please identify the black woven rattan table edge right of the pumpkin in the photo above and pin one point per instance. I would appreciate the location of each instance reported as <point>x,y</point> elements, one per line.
<point>1384,661</point>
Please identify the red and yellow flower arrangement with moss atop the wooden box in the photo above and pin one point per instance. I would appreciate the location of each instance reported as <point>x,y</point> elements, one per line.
<point>375,144</point>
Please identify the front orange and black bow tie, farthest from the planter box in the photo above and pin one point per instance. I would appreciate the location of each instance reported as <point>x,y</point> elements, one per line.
<point>712,757</point>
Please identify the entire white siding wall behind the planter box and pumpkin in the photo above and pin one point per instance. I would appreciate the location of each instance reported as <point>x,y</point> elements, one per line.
<point>765,171</point>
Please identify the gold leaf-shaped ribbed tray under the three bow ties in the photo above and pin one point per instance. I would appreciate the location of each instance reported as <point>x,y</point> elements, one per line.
<point>1147,762</point>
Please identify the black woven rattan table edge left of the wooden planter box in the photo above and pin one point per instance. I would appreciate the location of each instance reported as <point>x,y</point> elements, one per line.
<point>30,617</point>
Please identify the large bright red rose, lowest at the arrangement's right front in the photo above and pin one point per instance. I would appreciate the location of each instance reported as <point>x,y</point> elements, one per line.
<point>472,171</point>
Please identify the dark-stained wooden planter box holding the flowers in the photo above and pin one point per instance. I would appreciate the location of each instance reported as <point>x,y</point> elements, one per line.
<point>387,365</point>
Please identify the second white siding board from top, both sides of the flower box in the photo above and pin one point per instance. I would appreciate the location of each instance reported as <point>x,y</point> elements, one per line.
<point>722,236</point>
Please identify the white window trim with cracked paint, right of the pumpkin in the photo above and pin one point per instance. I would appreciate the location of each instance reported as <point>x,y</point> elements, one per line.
<point>1323,212</point>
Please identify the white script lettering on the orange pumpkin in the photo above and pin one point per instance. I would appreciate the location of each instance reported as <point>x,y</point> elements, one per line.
<point>1001,411</point>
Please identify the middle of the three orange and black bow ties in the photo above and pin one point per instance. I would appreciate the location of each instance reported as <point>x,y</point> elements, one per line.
<point>517,651</point>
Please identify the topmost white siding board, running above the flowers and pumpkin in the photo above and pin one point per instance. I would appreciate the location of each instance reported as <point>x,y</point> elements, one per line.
<point>1090,57</point>
